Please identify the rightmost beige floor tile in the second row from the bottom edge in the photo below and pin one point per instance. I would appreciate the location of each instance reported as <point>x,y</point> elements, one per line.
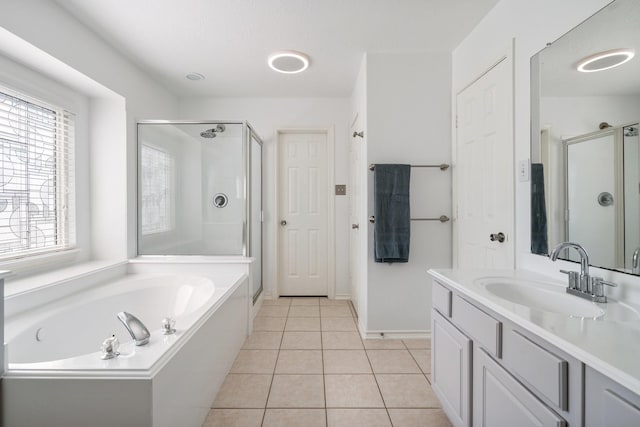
<point>407,391</point>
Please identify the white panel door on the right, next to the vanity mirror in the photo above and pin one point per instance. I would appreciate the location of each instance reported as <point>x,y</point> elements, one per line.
<point>484,173</point>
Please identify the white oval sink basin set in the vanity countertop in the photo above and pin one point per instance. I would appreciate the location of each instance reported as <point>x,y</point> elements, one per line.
<point>540,296</point>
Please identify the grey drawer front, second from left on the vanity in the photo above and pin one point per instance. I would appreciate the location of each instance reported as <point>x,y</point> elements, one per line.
<point>481,327</point>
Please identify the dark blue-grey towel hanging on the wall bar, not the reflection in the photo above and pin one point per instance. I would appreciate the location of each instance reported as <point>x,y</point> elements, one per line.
<point>391,231</point>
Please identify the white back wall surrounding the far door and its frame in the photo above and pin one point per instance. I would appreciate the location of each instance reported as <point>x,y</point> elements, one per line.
<point>266,115</point>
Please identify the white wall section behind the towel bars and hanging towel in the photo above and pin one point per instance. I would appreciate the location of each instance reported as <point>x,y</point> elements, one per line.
<point>408,121</point>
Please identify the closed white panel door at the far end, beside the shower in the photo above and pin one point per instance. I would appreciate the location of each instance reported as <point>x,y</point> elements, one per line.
<point>303,224</point>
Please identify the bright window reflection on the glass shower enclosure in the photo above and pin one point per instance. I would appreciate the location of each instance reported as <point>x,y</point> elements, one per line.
<point>157,170</point>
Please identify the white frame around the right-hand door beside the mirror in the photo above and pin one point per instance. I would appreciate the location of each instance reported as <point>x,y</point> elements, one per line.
<point>508,53</point>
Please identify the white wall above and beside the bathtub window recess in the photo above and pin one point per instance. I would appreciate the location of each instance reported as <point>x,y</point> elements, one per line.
<point>43,36</point>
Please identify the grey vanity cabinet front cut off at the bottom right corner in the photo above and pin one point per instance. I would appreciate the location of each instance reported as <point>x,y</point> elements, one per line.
<point>609,404</point>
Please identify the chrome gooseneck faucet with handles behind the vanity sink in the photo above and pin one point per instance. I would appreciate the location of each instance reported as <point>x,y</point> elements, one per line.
<point>584,286</point>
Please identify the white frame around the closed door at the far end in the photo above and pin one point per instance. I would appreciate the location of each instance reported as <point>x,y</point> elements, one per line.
<point>331,211</point>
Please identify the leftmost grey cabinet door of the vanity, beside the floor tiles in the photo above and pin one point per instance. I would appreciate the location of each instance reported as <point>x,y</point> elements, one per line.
<point>451,369</point>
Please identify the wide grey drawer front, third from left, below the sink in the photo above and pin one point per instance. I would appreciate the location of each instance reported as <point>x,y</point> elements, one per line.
<point>545,371</point>
